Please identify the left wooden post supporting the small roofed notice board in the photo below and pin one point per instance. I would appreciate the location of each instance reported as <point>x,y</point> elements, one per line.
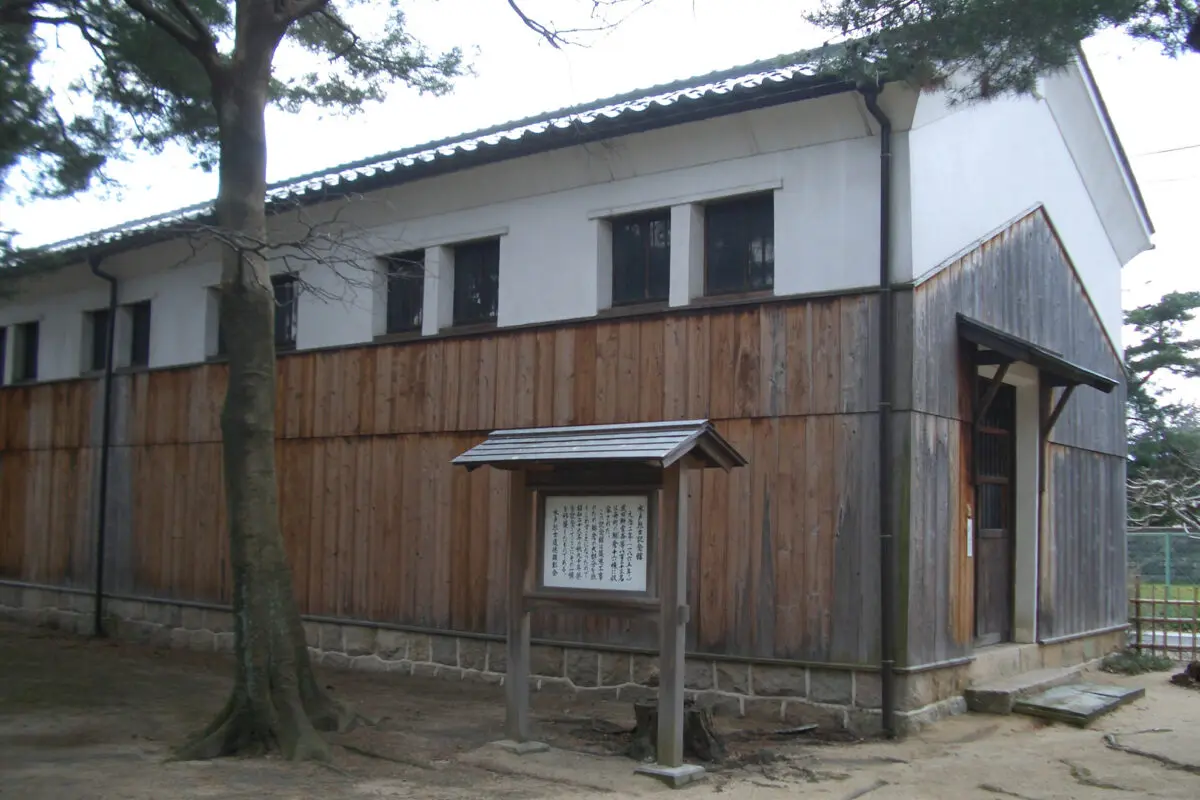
<point>517,679</point>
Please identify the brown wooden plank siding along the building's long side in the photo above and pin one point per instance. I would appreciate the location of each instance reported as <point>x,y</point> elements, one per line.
<point>379,526</point>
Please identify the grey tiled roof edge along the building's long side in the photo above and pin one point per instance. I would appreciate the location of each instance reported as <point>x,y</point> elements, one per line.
<point>764,83</point>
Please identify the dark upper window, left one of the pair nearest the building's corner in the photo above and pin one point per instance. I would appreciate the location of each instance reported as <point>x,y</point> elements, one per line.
<point>641,258</point>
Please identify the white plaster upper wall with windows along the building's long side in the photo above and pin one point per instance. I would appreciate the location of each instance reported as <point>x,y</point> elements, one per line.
<point>820,159</point>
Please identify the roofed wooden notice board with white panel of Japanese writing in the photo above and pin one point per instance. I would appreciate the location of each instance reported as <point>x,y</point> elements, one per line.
<point>598,521</point>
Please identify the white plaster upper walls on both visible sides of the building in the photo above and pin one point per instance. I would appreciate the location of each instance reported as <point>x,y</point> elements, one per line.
<point>961,173</point>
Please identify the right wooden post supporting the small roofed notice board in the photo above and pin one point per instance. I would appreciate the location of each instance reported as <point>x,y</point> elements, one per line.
<point>674,585</point>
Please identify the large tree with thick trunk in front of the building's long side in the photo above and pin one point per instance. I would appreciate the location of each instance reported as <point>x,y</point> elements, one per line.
<point>203,73</point>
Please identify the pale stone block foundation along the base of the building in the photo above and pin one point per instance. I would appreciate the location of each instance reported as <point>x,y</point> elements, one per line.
<point>782,695</point>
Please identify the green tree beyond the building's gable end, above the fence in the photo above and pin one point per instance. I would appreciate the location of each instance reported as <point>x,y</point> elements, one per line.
<point>1165,436</point>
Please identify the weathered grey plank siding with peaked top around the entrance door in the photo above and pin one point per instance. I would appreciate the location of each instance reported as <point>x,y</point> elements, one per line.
<point>1023,282</point>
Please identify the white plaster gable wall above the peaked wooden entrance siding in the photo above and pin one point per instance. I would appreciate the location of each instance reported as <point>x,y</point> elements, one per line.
<point>976,167</point>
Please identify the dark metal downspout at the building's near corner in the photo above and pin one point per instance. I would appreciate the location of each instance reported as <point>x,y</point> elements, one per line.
<point>887,524</point>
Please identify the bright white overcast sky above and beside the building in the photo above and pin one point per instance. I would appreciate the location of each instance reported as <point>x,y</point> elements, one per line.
<point>1153,101</point>
